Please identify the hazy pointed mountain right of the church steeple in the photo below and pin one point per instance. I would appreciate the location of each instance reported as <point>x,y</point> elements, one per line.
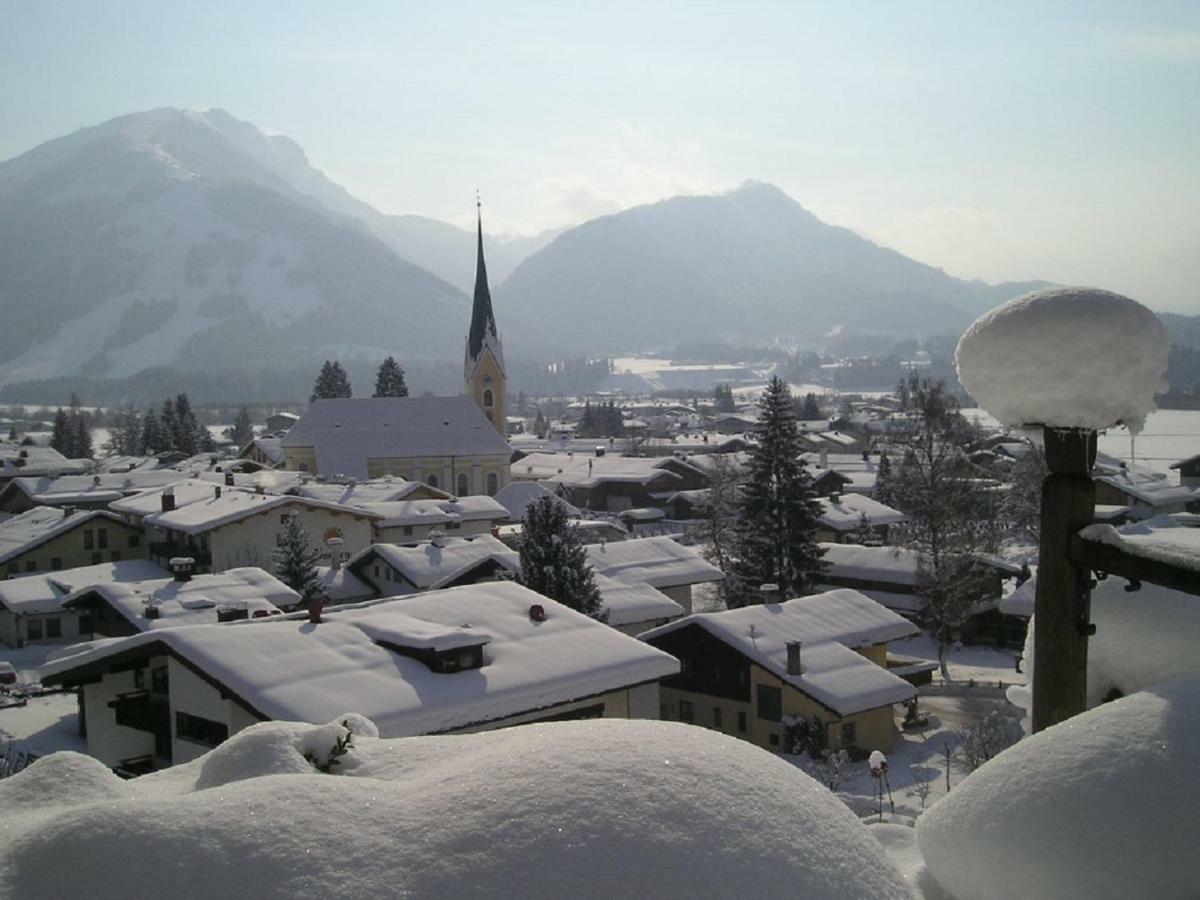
<point>749,265</point>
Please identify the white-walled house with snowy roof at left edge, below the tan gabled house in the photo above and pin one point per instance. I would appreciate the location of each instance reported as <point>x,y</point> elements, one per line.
<point>32,607</point>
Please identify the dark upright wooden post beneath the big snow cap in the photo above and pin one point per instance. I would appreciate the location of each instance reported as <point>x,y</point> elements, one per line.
<point>1064,597</point>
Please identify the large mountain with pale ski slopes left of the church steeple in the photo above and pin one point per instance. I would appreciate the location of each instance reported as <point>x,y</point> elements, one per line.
<point>196,241</point>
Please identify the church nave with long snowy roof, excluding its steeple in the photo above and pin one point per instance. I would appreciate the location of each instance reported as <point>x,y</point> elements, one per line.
<point>445,442</point>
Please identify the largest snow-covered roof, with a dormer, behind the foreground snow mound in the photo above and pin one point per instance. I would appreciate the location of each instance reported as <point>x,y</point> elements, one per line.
<point>292,670</point>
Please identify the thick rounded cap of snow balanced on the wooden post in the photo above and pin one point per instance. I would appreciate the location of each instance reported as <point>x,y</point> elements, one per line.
<point>1066,357</point>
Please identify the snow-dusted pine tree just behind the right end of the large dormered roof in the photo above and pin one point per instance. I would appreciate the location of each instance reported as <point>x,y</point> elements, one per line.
<point>554,561</point>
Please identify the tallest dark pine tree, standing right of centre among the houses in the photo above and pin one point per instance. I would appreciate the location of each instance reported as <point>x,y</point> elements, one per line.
<point>777,541</point>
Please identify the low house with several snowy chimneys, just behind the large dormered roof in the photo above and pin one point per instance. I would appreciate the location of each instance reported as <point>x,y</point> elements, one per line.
<point>116,609</point>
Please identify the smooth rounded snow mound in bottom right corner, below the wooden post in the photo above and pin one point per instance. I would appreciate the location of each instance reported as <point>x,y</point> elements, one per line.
<point>1101,806</point>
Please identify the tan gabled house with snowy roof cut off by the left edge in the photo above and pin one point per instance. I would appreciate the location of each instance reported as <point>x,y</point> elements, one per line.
<point>49,539</point>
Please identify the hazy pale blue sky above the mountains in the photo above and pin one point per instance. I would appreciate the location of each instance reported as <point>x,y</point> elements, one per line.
<point>999,141</point>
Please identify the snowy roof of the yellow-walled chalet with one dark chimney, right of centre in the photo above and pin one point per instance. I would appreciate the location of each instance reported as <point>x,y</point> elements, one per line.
<point>827,626</point>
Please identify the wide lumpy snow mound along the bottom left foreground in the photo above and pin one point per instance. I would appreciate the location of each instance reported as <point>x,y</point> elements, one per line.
<point>603,808</point>
